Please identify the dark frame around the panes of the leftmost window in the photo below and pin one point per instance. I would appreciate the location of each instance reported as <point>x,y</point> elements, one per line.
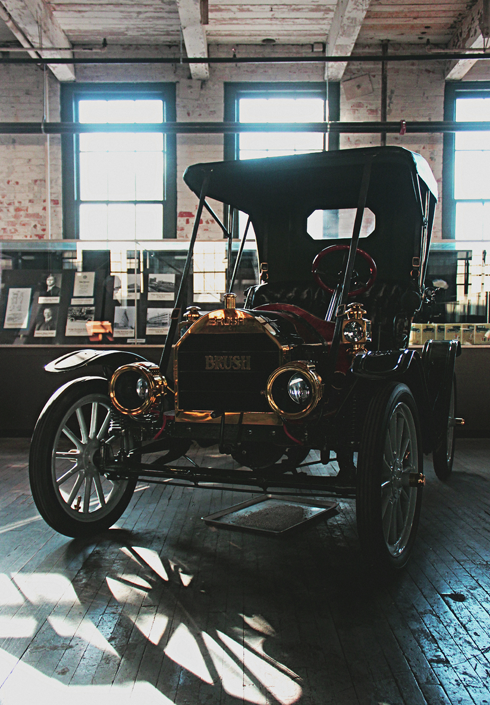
<point>71,94</point>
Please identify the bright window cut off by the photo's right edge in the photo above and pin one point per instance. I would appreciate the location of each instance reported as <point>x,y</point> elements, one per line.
<point>466,202</point>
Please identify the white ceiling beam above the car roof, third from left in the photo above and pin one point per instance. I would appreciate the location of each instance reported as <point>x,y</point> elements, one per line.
<point>346,24</point>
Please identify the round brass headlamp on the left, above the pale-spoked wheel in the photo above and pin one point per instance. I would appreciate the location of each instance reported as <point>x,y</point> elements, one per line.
<point>136,388</point>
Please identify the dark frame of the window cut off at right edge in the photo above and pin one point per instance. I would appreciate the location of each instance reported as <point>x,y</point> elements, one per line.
<point>453,91</point>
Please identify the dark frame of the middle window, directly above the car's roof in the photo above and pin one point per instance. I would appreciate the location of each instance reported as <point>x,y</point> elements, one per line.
<point>280,89</point>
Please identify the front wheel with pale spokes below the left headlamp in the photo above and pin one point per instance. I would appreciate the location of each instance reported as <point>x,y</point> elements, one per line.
<point>72,496</point>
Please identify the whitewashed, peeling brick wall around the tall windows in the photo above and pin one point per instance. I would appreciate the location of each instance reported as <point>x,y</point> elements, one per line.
<point>30,208</point>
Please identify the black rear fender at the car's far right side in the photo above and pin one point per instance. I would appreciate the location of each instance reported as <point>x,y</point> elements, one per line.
<point>439,360</point>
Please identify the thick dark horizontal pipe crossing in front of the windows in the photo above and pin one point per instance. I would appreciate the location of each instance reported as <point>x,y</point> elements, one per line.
<point>172,128</point>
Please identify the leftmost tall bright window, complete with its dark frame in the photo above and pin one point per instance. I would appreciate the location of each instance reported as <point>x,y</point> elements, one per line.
<point>119,186</point>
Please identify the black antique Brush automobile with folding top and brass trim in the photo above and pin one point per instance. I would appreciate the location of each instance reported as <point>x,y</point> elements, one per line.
<point>316,360</point>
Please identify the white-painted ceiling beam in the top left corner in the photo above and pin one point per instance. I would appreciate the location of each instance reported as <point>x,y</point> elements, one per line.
<point>33,25</point>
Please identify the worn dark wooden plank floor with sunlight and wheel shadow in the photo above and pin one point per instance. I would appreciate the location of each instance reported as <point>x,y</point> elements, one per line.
<point>165,609</point>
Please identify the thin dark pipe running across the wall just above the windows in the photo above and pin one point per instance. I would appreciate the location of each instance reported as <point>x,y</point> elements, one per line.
<point>441,55</point>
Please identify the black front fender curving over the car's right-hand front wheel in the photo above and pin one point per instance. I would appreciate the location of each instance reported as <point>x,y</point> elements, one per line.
<point>401,366</point>
